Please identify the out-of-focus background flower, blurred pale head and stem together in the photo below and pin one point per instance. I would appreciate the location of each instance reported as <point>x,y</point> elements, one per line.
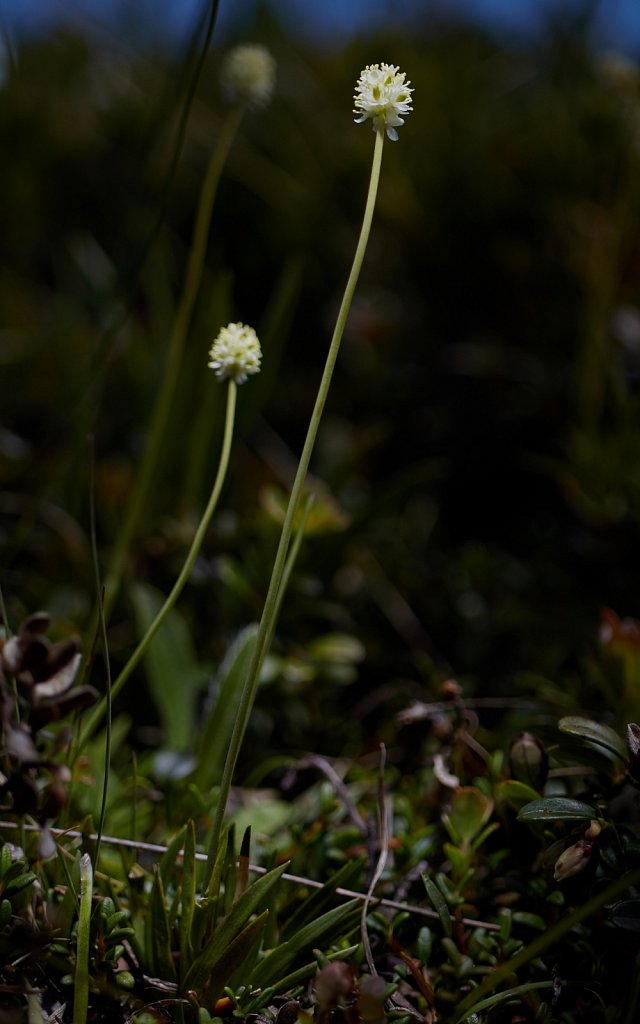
<point>247,80</point>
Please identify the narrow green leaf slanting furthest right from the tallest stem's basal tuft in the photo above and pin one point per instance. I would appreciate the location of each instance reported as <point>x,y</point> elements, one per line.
<point>326,930</point>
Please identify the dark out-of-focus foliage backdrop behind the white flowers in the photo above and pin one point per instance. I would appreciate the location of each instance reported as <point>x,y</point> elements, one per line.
<point>479,466</point>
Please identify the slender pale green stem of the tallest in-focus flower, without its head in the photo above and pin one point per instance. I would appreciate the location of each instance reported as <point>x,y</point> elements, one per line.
<point>274,595</point>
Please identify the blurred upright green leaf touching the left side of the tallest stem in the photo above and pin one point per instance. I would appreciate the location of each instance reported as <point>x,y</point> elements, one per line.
<point>215,738</point>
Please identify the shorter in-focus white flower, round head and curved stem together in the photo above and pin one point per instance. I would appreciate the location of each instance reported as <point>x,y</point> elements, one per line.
<point>235,356</point>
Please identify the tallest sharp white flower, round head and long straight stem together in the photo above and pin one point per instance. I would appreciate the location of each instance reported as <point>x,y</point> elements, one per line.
<point>383,96</point>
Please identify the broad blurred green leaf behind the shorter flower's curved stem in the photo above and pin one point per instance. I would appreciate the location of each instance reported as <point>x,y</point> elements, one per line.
<point>176,678</point>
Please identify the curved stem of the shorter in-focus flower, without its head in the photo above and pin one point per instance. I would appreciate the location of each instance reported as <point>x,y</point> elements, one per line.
<point>97,716</point>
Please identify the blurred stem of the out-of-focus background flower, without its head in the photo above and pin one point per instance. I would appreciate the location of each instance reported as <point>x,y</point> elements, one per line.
<point>177,347</point>
